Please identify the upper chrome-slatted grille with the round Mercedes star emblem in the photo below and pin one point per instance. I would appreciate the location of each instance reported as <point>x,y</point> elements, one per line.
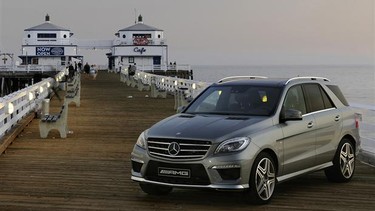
<point>185,149</point>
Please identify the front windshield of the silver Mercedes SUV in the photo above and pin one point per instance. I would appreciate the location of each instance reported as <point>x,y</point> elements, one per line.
<point>236,100</point>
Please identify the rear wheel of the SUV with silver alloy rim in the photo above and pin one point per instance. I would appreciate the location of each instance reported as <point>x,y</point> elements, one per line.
<point>343,163</point>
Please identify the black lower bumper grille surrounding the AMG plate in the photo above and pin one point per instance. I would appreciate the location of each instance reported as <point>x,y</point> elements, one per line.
<point>198,173</point>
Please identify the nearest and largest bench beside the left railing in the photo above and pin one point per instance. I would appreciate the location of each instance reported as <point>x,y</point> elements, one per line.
<point>55,121</point>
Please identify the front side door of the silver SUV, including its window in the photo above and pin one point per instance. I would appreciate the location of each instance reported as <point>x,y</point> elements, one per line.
<point>299,136</point>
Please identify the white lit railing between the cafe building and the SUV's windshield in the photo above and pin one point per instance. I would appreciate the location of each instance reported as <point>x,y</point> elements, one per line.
<point>184,90</point>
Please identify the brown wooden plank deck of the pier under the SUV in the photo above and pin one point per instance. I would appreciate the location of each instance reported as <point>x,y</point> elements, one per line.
<point>90,170</point>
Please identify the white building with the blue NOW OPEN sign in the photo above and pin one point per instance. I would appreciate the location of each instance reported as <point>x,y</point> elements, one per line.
<point>48,44</point>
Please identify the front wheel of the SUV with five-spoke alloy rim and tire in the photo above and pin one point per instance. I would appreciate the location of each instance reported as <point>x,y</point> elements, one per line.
<point>262,180</point>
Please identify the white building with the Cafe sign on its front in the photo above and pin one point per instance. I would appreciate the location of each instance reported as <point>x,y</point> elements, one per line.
<point>140,45</point>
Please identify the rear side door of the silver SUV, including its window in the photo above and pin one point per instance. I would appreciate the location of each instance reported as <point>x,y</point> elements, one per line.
<point>328,122</point>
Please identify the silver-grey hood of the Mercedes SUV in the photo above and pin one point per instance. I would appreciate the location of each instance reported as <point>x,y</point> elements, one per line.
<point>203,127</point>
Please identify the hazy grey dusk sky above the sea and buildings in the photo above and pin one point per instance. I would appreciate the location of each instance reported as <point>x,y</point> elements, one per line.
<point>213,32</point>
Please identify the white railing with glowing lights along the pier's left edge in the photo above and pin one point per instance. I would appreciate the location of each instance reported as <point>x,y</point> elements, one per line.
<point>17,105</point>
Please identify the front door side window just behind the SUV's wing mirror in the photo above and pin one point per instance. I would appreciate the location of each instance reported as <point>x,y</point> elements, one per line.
<point>295,100</point>
